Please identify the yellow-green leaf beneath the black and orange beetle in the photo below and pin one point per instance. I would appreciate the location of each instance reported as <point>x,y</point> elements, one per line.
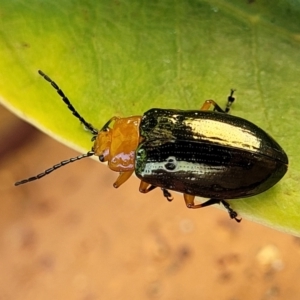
<point>124,57</point>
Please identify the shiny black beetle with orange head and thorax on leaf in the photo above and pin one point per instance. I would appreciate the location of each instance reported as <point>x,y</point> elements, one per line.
<point>206,153</point>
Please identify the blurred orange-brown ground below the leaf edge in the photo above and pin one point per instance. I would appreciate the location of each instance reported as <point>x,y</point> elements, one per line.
<point>72,235</point>
